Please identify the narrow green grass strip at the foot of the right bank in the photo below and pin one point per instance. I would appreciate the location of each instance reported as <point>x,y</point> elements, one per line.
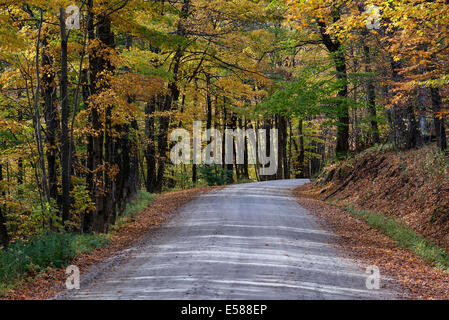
<point>405,237</point>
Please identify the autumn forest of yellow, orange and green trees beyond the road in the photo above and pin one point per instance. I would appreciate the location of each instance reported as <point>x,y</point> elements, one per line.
<point>91,90</point>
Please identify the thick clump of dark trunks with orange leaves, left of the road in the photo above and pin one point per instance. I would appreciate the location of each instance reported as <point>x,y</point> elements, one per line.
<point>113,168</point>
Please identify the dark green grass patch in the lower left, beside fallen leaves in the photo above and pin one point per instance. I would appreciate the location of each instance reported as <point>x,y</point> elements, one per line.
<point>50,250</point>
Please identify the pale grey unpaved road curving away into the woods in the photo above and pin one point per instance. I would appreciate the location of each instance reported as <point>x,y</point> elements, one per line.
<point>250,241</point>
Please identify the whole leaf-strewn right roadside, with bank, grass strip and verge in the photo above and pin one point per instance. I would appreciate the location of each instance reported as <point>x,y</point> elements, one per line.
<point>390,209</point>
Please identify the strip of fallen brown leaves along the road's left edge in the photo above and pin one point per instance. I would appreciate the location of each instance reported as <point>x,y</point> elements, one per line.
<point>163,208</point>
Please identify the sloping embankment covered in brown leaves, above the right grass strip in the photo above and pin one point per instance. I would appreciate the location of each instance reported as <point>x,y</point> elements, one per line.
<point>411,186</point>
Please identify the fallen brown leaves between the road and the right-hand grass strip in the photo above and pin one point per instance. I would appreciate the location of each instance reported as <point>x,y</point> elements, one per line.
<point>361,242</point>
